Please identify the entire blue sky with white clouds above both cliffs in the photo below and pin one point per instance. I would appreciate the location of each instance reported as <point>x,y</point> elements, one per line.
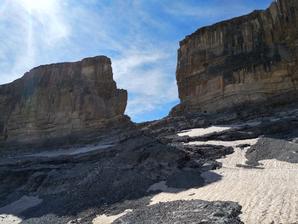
<point>140,36</point>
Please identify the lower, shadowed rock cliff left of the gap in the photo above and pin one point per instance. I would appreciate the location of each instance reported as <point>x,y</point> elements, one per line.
<point>58,100</point>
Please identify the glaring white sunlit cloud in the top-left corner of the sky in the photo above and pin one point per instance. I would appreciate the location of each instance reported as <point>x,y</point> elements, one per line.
<point>29,27</point>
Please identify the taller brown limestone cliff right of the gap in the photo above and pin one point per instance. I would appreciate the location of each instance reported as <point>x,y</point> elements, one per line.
<point>249,59</point>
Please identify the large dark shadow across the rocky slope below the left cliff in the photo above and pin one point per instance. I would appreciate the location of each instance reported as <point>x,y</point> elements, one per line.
<point>88,184</point>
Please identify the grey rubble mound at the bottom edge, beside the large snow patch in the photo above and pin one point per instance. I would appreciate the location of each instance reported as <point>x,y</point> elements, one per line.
<point>195,211</point>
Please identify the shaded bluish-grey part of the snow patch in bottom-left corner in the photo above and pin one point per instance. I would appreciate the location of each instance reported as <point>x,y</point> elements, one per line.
<point>20,205</point>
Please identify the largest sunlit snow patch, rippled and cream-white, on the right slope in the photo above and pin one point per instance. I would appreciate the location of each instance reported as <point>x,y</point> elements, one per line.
<point>267,195</point>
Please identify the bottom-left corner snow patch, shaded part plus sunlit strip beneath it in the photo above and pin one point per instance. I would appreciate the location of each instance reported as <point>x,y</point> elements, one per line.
<point>8,213</point>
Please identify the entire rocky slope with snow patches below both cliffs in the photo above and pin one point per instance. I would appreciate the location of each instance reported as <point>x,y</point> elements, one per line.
<point>123,177</point>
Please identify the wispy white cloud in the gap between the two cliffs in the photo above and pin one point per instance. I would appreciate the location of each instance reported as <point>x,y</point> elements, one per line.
<point>147,79</point>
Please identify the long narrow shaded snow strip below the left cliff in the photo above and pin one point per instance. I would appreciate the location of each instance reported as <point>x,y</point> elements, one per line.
<point>73,151</point>
